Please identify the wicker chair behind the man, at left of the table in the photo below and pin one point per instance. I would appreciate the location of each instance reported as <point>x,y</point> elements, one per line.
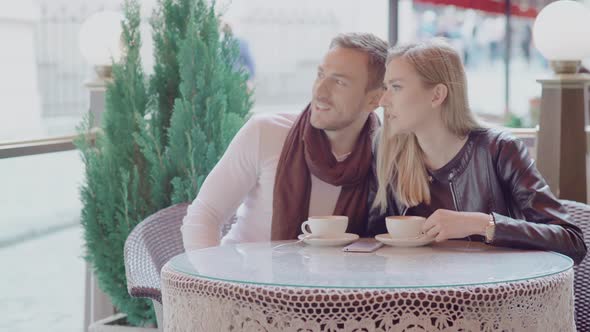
<point>151,244</point>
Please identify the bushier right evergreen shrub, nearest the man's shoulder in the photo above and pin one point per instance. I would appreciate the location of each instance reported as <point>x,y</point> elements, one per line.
<point>212,106</point>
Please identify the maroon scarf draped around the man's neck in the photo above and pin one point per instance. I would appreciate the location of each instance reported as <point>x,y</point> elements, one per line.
<point>307,150</point>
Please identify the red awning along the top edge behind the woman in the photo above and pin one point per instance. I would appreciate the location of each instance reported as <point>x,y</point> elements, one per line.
<point>522,8</point>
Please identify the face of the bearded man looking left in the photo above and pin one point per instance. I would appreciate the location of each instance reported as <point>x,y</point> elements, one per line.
<point>339,96</point>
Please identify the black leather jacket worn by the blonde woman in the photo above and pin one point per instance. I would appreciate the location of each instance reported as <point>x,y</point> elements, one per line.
<point>493,173</point>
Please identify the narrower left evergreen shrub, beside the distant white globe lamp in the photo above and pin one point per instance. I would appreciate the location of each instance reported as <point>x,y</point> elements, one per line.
<point>115,195</point>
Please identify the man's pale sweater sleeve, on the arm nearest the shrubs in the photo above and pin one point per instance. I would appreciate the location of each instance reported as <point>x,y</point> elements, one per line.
<point>223,190</point>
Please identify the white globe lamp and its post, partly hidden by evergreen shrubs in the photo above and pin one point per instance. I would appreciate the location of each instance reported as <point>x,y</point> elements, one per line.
<point>99,40</point>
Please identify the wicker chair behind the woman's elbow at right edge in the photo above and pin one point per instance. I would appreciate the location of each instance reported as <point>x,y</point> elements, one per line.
<point>580,214</point>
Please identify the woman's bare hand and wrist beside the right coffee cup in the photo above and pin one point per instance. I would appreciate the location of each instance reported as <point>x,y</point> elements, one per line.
<point>447,224</point>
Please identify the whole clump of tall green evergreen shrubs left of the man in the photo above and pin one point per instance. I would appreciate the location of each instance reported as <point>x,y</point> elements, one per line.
<point>158,140</point>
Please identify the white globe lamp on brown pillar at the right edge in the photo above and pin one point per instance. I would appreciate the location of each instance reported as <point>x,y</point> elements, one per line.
<point>560,33</point>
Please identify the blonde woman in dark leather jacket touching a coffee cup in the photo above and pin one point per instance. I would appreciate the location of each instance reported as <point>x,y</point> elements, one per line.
<point>434,160</point>
